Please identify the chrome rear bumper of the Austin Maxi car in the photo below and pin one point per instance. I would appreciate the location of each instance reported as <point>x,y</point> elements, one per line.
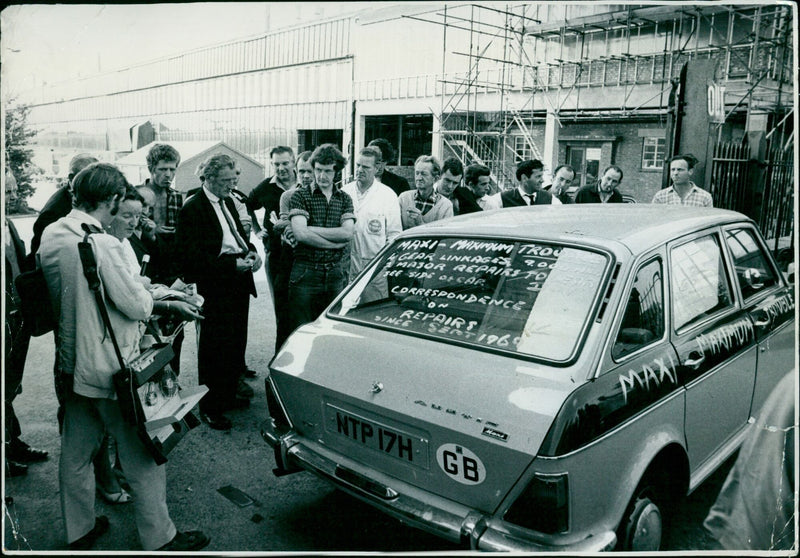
<point>436,515</point>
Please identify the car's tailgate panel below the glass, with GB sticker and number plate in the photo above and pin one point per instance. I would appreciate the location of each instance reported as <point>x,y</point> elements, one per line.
<point>461,423</point>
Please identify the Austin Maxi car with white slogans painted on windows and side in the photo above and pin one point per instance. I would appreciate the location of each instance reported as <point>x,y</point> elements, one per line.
<point>547,378</point>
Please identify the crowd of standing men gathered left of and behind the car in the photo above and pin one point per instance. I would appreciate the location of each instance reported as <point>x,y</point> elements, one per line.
<point>318,234</point>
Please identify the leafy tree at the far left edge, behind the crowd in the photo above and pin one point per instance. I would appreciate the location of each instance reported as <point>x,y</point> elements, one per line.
<point>19,156</point>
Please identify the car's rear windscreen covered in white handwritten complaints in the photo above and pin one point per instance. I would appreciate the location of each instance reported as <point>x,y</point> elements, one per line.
<point>525,297</point>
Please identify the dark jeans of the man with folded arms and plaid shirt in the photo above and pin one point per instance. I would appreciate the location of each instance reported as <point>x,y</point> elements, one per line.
<point>312,287</point>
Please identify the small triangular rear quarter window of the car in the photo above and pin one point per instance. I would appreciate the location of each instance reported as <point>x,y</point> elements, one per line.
<point>643,321</point>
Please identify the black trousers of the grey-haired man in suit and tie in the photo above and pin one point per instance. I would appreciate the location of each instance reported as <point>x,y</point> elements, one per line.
<point>222,344</point>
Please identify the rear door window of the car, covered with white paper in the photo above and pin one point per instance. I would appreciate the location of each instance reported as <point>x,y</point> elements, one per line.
<point>699,282</point>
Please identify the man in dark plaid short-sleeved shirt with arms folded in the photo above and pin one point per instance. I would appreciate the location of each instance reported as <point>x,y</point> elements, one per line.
<point>323,221</point>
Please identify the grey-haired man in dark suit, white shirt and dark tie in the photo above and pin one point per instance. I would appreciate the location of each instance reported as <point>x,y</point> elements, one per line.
<point>216,255</point>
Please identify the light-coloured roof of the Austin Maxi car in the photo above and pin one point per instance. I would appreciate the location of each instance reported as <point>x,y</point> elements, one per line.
<point>638,227</point>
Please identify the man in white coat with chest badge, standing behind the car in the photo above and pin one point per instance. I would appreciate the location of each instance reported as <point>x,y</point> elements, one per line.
<point>377,212</point>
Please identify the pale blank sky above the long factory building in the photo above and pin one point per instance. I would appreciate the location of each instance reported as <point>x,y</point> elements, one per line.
<point>44,44</point>
